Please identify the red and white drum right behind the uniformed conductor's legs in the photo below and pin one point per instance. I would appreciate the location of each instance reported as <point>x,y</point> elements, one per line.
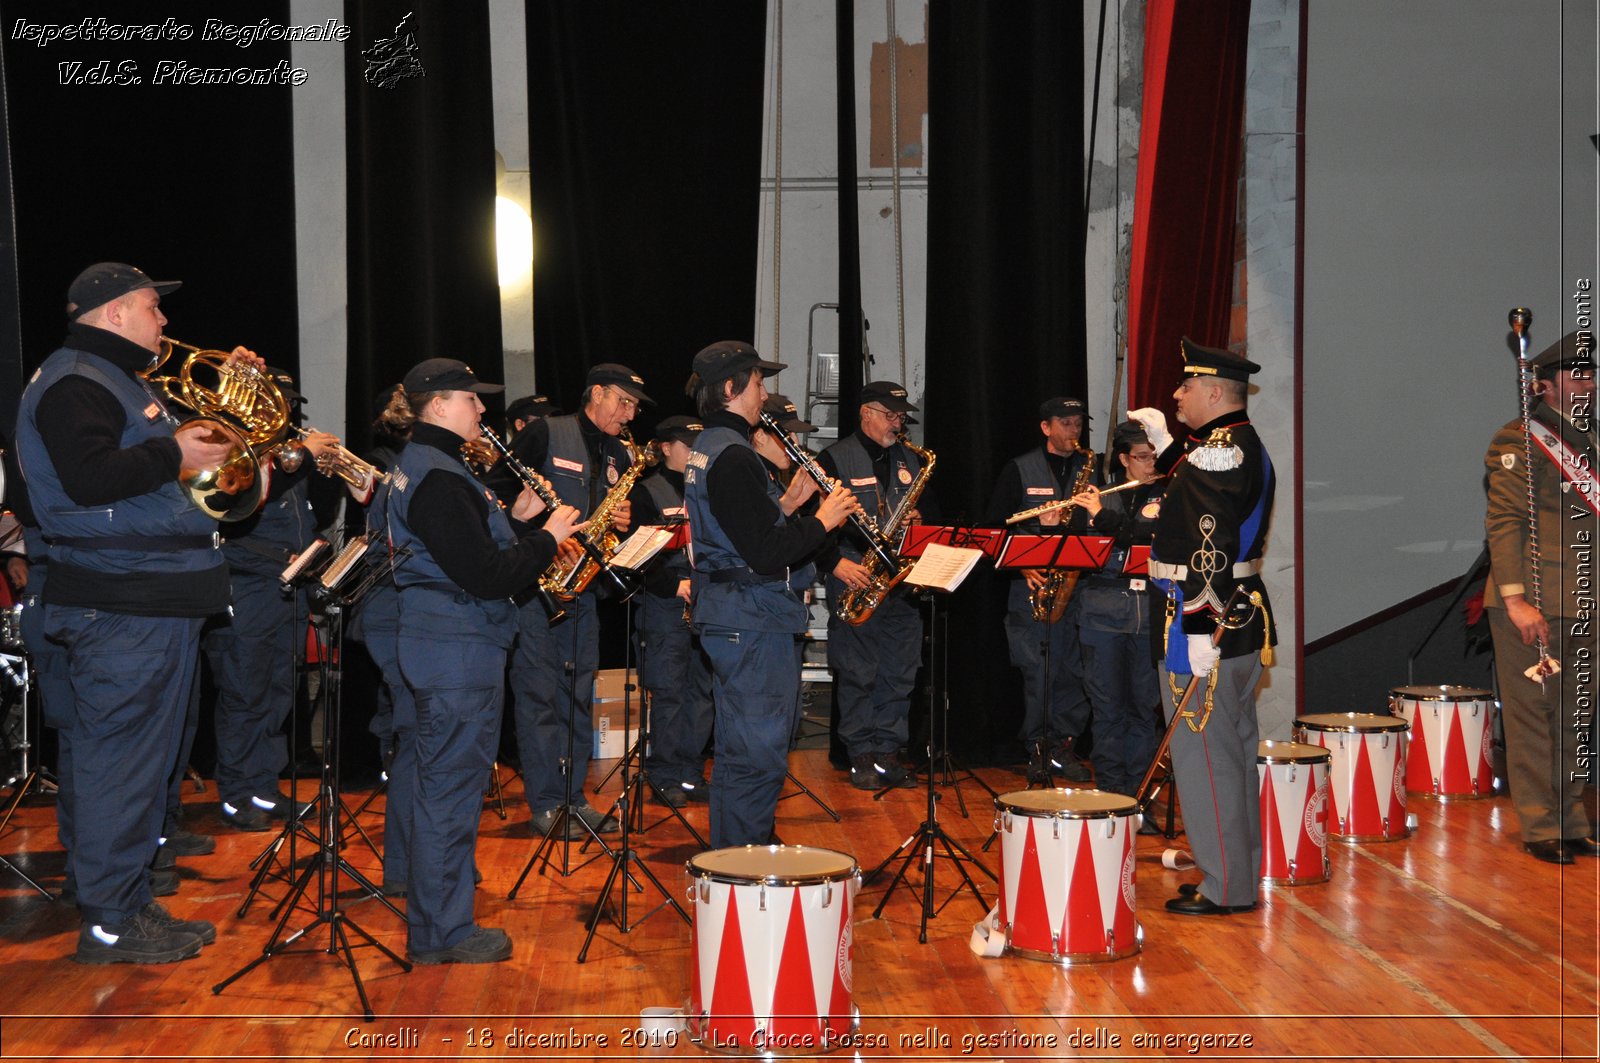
<point>1294,812</point>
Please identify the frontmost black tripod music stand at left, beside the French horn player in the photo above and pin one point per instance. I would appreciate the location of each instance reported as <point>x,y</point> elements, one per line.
<point>329,862</point>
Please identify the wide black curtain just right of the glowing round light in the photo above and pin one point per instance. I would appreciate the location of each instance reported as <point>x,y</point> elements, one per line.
<point>646,135</point>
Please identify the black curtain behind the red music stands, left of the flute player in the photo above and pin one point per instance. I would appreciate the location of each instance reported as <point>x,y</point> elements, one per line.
<point>1006,289</point>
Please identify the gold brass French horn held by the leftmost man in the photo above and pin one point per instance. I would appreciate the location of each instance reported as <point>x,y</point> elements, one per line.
<point>242,407</point>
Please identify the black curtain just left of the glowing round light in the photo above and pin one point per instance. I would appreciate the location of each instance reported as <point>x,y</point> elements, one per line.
<point>423,278</point>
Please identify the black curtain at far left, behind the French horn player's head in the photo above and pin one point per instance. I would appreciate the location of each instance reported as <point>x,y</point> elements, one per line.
<point>185,182</point>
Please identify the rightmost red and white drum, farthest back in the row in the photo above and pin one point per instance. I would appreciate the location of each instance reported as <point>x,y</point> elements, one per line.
<point>1452,740</point>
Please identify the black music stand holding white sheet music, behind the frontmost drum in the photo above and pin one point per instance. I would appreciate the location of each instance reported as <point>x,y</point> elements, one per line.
<point>937,576</point>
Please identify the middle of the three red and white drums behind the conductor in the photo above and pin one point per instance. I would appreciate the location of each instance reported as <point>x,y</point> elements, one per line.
<point>1367,774</point>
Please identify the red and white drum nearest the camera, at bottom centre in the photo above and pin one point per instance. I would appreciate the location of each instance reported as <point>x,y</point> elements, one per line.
<point>772,961</point>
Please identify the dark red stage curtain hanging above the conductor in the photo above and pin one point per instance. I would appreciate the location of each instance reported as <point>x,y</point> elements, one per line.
<point>1186,198</point>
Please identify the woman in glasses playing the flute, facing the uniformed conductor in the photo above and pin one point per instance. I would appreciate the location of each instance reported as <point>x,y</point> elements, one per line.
<point>1114,619</point>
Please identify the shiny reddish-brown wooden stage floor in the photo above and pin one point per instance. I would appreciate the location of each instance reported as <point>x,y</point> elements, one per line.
<point>1449,945</point>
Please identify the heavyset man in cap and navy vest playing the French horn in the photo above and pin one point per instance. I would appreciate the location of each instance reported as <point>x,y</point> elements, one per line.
<point>135,569</point>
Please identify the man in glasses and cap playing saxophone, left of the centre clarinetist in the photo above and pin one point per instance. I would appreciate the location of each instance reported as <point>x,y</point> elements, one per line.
<point>553,668</point>
